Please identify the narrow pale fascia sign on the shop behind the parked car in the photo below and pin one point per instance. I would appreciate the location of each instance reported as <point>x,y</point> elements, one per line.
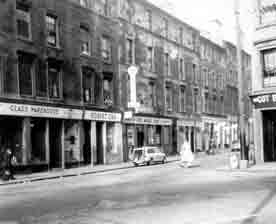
<point>149,121</point>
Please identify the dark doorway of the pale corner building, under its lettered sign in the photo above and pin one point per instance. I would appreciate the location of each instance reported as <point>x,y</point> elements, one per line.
<point>269,126</point>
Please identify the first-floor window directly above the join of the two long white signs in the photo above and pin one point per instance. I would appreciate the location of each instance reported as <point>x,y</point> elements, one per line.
<point>88,85</point>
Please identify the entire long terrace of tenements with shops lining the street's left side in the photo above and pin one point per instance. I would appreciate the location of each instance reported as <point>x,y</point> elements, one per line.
<point>67,97</point>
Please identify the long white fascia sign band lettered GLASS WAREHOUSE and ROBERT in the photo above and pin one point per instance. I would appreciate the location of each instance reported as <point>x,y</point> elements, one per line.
<point>55,112</point>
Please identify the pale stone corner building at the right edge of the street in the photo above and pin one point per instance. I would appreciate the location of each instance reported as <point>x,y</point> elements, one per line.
<point>263,88</point>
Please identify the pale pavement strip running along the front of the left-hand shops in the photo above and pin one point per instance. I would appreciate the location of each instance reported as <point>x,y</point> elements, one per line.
<point>86,170</point>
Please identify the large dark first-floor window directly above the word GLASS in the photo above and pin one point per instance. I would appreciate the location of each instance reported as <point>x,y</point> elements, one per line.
<point>25,73</point>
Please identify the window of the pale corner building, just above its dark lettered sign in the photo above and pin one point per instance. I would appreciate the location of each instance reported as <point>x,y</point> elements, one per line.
<point>269,67</point>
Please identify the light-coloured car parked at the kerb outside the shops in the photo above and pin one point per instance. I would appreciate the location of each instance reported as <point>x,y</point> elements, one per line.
<point>148,155</point>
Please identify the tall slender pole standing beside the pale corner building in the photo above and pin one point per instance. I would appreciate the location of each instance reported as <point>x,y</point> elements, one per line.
<point>240,83</point>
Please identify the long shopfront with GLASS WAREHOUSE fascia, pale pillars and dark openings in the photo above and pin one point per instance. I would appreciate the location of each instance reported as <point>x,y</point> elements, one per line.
<point>45,137</point>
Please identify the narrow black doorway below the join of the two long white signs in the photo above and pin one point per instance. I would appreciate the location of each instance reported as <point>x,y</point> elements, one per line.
<point>87,143</point>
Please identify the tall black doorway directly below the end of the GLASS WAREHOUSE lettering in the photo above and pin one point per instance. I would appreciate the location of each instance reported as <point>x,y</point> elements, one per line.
<point>55,128</point>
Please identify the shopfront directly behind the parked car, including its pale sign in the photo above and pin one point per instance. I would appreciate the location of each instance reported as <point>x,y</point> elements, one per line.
<point>147,131</point>
